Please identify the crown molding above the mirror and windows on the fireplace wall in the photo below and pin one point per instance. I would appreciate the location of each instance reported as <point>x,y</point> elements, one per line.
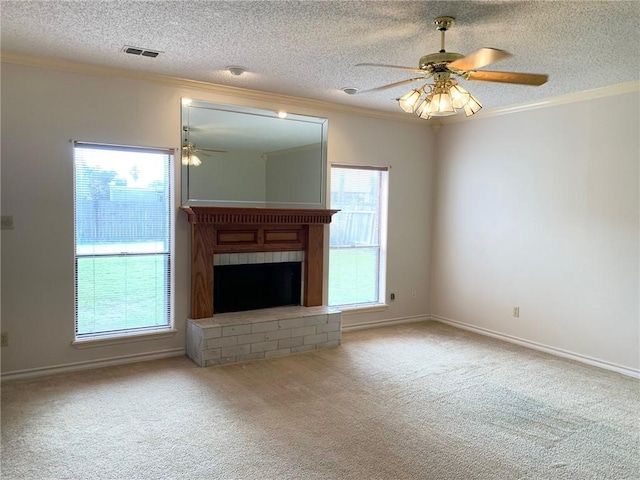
<point>166,80</point>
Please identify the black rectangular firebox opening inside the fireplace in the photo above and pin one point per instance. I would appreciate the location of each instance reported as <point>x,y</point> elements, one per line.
<point>252,286</point>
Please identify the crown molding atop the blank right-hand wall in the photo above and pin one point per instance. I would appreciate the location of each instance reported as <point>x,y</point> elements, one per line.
<point>608,91</point>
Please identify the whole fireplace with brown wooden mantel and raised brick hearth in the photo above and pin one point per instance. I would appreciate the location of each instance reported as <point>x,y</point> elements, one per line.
<point>257,237</point>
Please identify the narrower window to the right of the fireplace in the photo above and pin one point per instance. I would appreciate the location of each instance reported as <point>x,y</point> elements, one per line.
<point>357,235</point>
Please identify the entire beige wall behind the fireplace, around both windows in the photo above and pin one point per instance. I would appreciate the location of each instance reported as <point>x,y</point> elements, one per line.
<point>42,110</point>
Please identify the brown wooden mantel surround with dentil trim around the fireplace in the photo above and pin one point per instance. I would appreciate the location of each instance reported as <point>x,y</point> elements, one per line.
<point>231,230</point>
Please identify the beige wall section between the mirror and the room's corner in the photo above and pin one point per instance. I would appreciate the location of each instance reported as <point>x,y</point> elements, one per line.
<point>410,154</point>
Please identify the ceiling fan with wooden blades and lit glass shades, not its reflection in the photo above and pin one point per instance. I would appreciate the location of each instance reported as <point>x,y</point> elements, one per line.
<point>445,95</point>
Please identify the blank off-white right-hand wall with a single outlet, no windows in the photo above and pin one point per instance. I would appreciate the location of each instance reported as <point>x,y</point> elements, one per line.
<point>540,210</point>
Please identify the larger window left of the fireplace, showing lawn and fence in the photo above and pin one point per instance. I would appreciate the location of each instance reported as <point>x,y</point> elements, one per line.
<point>123,199</point>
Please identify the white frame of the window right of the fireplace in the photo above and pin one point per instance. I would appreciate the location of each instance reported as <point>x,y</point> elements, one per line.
<point>382,226</point>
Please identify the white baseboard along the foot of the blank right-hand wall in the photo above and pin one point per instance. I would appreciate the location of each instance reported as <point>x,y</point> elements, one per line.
<point>630,372</point>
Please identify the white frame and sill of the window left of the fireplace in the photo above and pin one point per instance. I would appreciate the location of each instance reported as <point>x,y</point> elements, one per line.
<point>134,334</point>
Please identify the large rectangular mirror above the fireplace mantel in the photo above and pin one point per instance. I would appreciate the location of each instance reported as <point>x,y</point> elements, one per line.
<point>235,156</point>
